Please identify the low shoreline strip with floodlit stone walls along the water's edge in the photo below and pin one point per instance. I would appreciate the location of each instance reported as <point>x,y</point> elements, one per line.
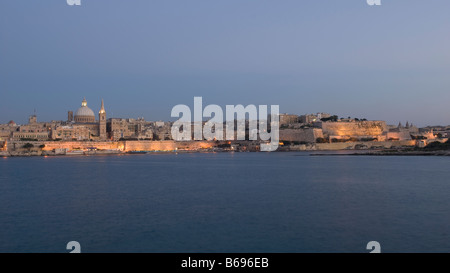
<point>91,148</point>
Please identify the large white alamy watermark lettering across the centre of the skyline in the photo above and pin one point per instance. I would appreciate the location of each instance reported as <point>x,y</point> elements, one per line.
<point>261,126</point>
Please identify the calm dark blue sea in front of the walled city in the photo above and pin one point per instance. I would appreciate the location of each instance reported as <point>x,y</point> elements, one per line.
<point>225,202</point>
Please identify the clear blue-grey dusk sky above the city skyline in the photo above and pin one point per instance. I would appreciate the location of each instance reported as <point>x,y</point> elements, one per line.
<point>390,62</point>
